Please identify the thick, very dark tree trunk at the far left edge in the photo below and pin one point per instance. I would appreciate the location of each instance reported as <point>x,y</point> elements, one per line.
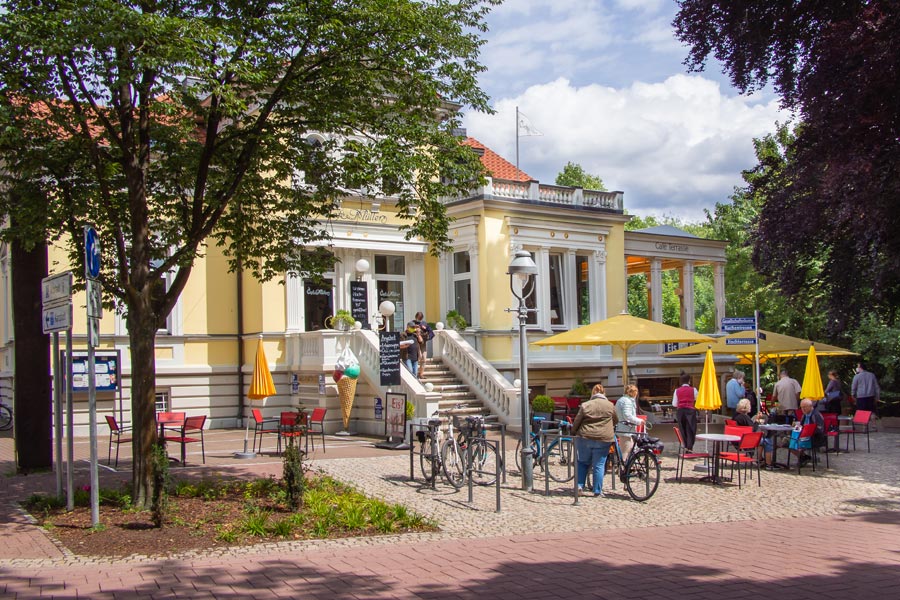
<point>34,406</point>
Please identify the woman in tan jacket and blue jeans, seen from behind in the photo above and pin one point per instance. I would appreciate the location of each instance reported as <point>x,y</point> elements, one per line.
<point>593,428</point>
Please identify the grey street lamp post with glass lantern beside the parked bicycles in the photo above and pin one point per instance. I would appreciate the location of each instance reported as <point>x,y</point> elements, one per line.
<point>522,268</point>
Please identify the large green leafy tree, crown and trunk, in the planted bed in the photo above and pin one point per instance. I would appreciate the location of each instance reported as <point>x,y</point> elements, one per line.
<point>172,125</point>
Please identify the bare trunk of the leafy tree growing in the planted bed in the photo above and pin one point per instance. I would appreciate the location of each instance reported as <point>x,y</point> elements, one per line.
<point>142,325</point>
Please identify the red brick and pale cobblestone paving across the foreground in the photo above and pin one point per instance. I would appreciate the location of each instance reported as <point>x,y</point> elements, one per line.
<point>826,535</point>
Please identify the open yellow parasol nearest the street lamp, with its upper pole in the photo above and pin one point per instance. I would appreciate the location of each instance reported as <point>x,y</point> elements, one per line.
<point>623,331</point>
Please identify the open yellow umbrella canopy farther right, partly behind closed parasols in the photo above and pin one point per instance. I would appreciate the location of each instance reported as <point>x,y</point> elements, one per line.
<point>775,346</point>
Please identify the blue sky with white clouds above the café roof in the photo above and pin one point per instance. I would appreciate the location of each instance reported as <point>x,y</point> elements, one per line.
<point>604,82</point>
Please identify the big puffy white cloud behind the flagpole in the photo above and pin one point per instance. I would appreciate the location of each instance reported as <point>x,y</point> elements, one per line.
<point>674,147</point>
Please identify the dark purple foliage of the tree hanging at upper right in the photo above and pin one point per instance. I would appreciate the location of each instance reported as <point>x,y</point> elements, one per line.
<point>827,224</point>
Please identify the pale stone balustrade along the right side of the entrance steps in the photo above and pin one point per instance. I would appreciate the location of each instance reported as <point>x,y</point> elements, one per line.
<point>484,381</point>
